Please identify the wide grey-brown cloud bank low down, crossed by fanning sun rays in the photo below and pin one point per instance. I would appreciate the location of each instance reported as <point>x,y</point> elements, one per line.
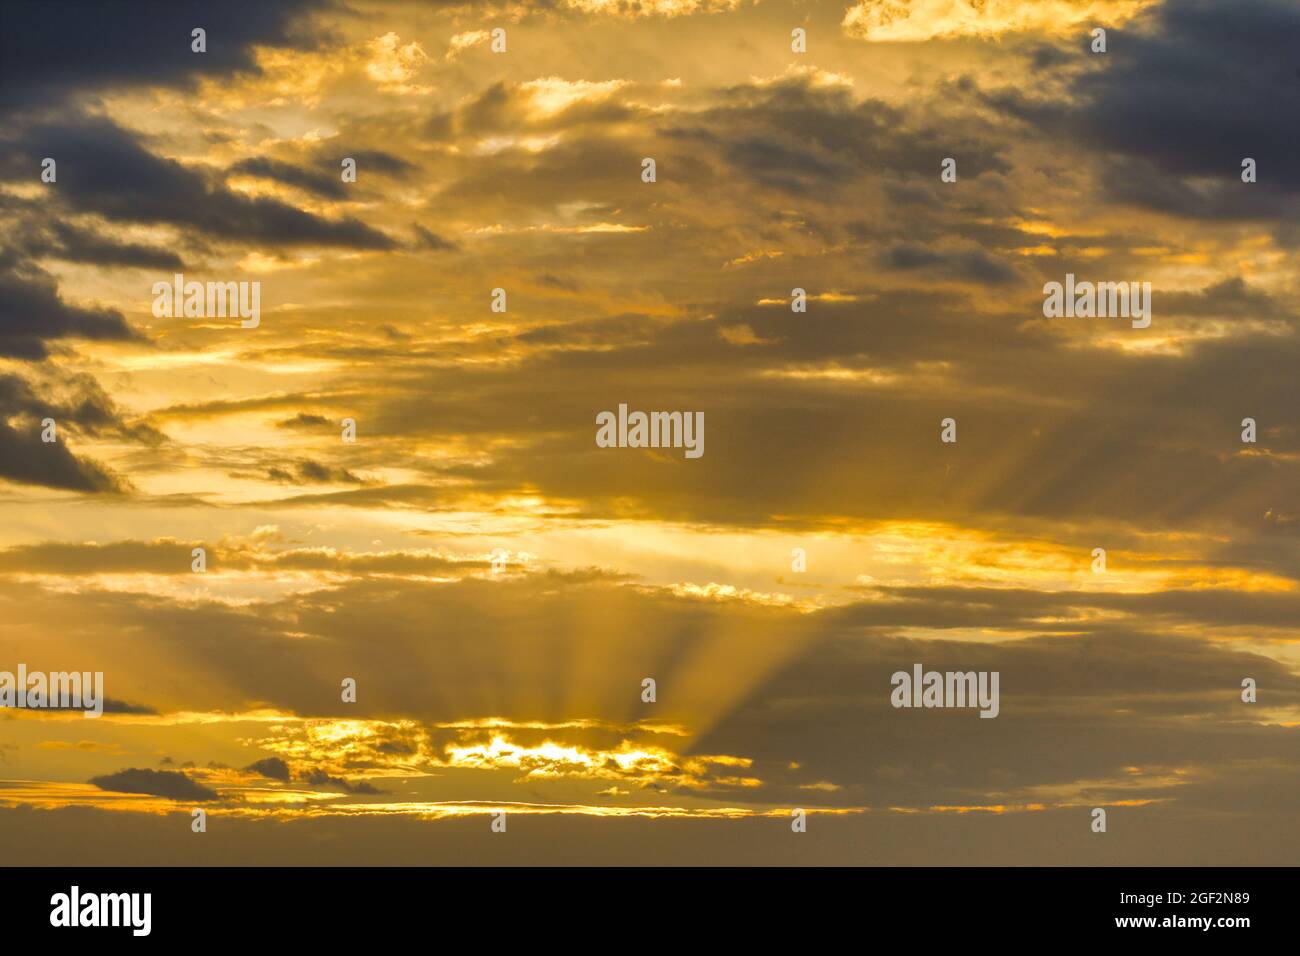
<point>1117,697</point>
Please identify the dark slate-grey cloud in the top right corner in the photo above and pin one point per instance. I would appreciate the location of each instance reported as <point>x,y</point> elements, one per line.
<point>1184,94</point>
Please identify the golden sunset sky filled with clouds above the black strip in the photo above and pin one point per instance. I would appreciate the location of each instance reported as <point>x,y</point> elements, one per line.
<point>497,586</point>
